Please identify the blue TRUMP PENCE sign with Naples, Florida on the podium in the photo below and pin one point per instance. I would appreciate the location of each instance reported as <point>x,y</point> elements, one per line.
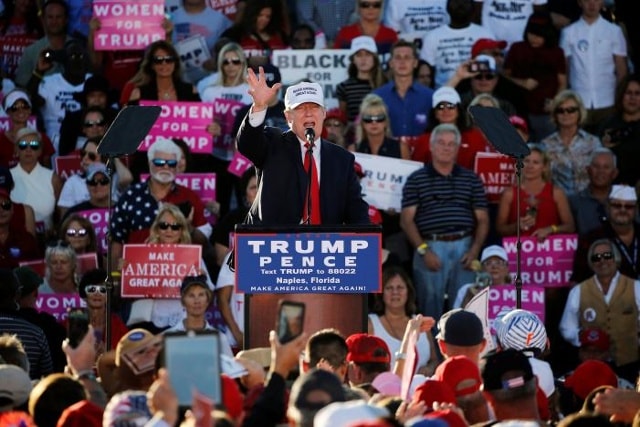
<point>308,263</point>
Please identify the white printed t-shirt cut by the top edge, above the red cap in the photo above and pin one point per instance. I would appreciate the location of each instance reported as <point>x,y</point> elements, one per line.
<point>507,18</point>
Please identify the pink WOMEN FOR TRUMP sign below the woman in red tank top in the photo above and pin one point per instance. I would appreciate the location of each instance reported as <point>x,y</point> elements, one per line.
<point>548,263</point>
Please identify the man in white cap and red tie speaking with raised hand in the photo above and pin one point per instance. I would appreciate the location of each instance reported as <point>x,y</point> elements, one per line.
<point>303,178</point>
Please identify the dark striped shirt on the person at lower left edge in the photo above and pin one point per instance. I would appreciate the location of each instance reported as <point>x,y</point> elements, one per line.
<point>34,342</point>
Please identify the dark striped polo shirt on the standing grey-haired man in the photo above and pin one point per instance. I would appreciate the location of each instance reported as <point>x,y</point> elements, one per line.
<point>445,204</point>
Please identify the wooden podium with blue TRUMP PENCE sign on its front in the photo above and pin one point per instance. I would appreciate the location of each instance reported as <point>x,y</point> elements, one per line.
<point>330,269</point>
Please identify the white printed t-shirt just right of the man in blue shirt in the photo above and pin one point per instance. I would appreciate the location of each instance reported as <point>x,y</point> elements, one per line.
<point>445,48</point>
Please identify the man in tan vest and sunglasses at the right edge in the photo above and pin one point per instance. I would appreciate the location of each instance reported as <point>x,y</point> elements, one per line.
<point>609,300</point>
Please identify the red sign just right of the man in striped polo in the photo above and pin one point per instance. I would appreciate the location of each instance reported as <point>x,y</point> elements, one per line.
<point>496,171</point>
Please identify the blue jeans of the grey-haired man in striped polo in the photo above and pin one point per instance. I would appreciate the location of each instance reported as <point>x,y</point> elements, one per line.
<point>431,286</point>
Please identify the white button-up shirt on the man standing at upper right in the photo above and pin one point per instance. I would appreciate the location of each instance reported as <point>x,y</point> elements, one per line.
<point>590,50</point>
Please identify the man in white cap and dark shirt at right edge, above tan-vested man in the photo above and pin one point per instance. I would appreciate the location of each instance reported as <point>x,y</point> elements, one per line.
<point>621,228</point>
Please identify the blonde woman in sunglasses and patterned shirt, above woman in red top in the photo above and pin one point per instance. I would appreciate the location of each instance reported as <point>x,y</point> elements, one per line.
<point>570,147</point>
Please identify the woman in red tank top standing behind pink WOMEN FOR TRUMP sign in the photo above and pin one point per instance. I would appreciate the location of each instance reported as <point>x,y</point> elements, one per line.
<point>544,208</point>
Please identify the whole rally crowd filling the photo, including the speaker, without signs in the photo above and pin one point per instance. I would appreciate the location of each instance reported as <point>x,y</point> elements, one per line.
<point>562,75</point>
